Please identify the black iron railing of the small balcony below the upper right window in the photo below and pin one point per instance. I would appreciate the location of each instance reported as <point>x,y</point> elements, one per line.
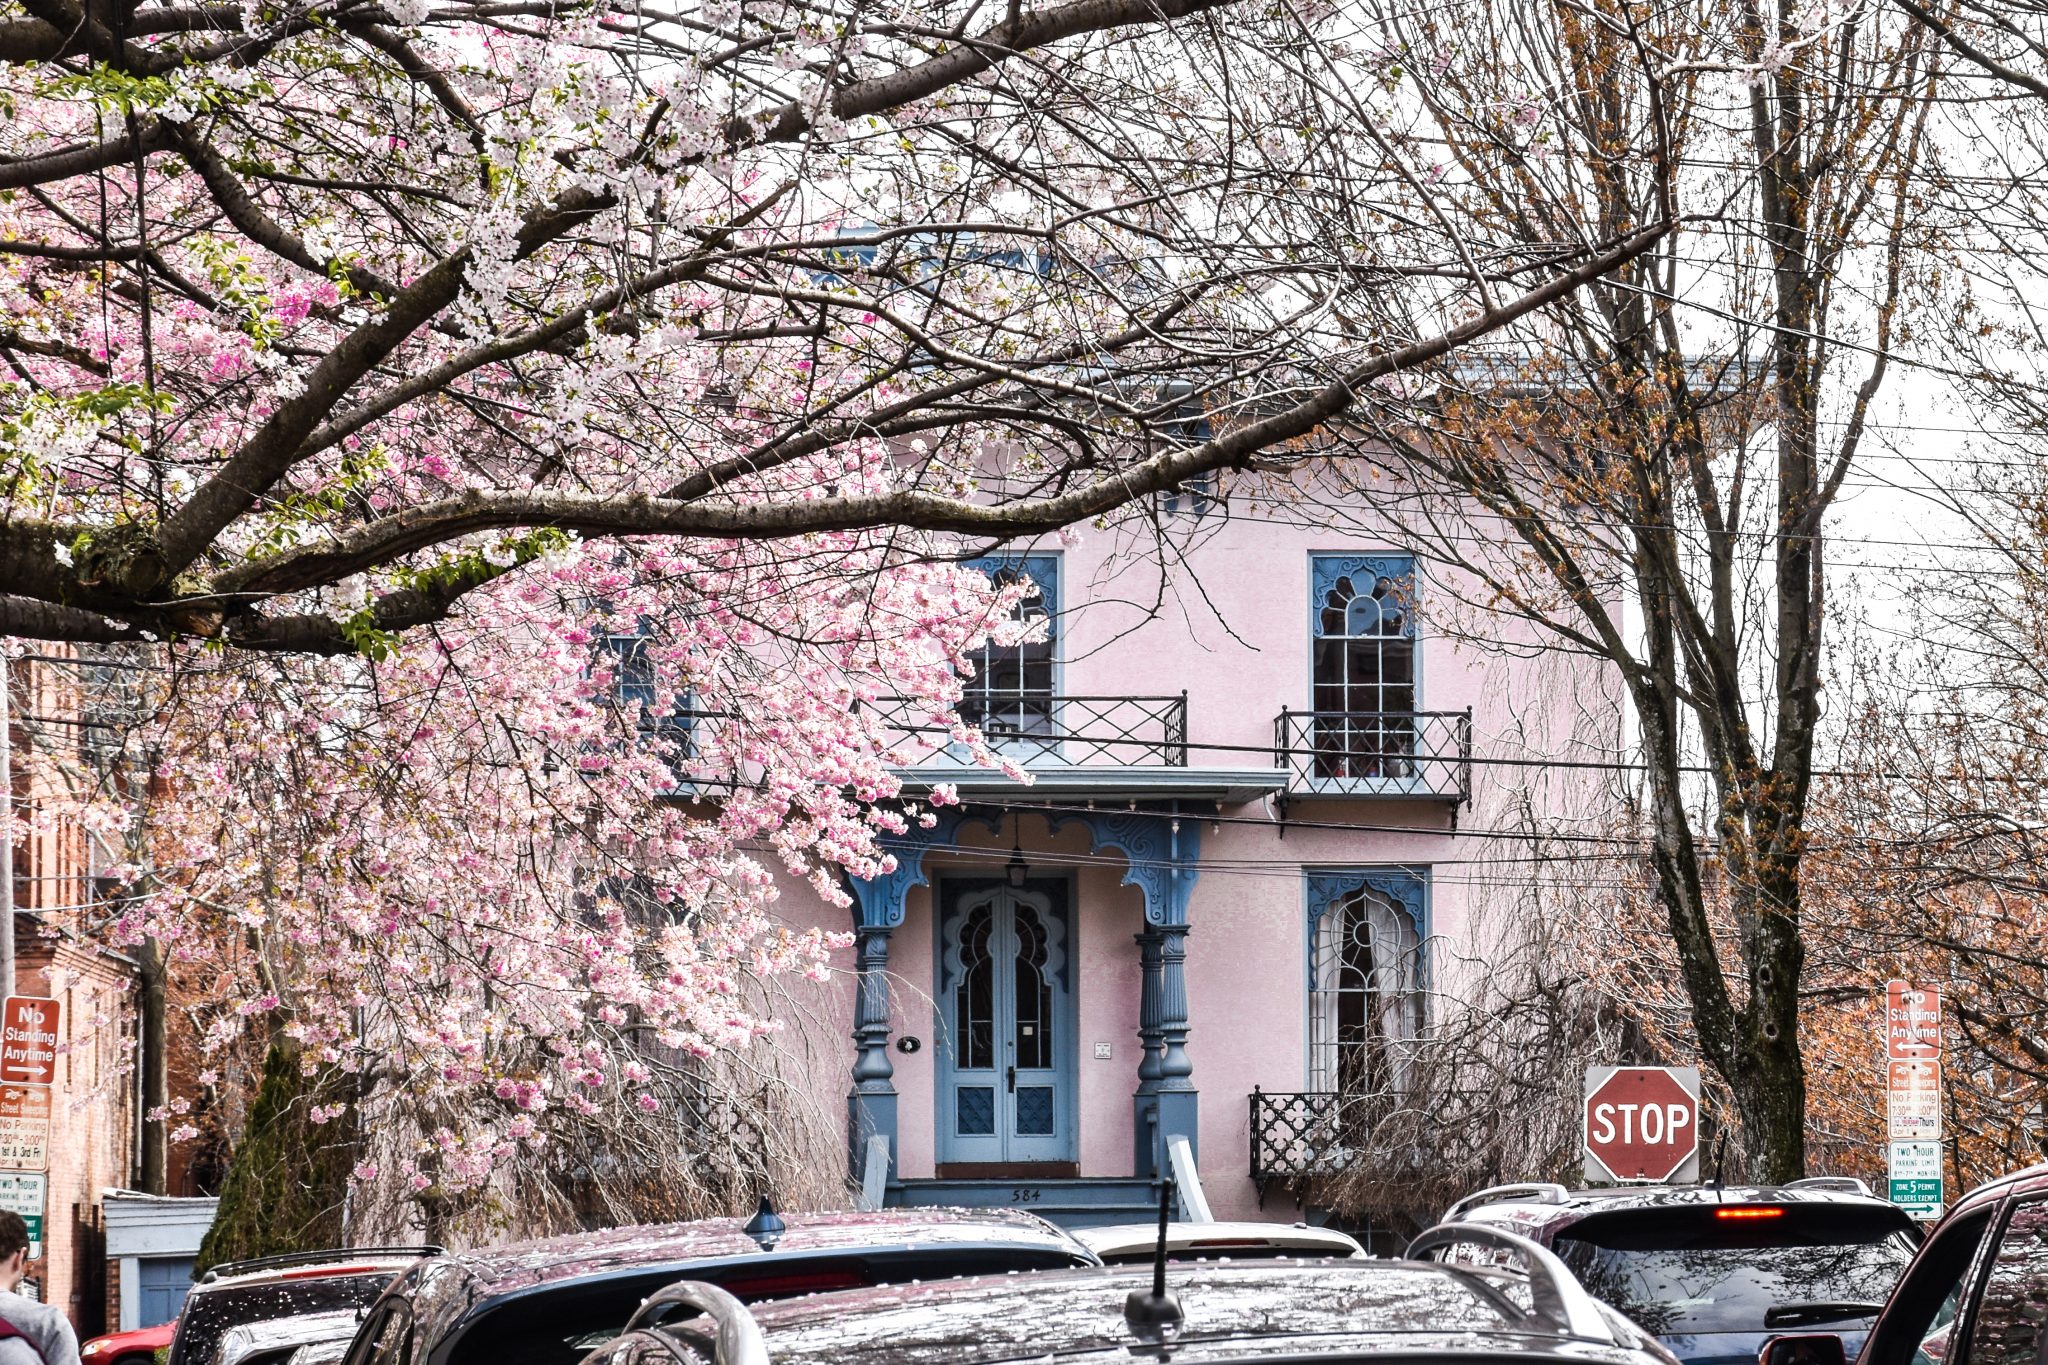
<point>1422,754</point>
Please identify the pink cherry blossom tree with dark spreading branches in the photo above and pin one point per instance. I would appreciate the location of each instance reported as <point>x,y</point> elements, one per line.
<point>529,435</point>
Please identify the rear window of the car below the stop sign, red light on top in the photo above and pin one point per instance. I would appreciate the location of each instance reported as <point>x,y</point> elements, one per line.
<point>1727,1268</point>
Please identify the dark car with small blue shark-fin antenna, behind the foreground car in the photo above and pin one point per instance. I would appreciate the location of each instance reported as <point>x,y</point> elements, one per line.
<point>550,1303</point>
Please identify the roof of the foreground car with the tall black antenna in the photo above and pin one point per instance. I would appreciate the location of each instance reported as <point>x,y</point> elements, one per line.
<point>1232,1311</point>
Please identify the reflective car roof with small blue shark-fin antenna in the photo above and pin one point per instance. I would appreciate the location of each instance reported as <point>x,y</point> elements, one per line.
<point>499,1270</point>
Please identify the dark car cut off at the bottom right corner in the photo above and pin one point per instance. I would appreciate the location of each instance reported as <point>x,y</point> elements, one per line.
<point>1977,1290</point>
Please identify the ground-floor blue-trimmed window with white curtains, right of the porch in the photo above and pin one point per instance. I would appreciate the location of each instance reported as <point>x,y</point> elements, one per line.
<point>1365,977</point>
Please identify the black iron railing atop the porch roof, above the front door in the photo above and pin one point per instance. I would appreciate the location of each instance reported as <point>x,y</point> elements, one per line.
<point>1134,732</point>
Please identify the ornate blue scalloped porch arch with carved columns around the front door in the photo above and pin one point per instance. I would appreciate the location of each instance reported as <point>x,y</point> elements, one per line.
<point>1160,858</point>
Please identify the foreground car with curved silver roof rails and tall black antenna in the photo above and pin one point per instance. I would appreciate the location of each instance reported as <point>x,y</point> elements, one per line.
<point>1215,1315</point>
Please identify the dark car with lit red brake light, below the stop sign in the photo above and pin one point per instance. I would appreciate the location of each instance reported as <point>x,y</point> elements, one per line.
<point>1717,1272</point>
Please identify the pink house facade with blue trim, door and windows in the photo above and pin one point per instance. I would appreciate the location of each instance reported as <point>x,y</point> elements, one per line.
<point>1269,799</point>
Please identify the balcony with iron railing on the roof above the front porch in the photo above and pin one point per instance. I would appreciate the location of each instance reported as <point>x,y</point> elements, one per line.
<point>1072,746</point>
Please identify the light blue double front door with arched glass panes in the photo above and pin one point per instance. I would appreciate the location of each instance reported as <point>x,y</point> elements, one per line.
<point>1007,1006</point>
